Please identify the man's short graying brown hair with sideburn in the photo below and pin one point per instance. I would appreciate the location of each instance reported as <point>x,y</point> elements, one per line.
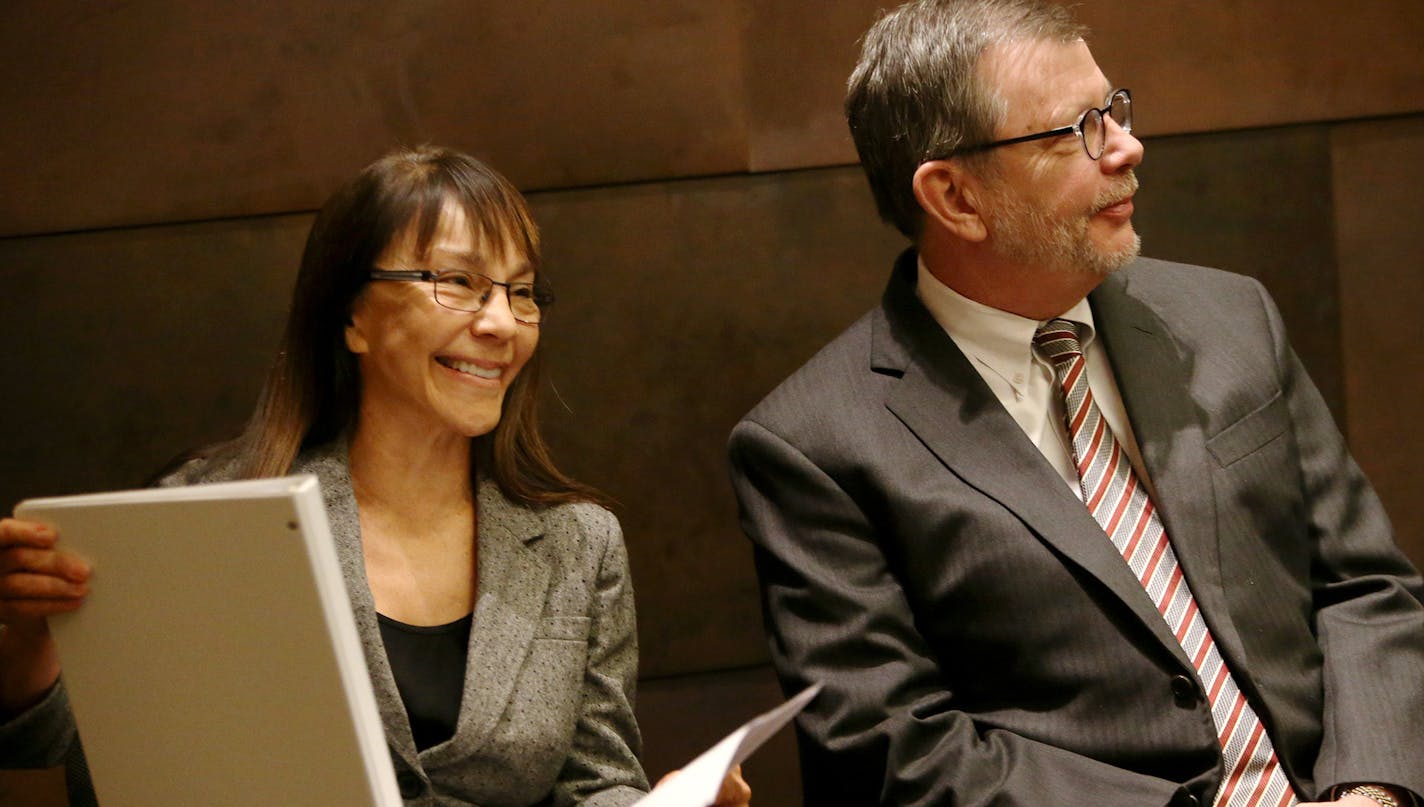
<point>916,93</point>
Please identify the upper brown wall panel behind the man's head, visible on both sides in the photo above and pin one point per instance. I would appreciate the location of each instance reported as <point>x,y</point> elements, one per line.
<point>1194,68</point>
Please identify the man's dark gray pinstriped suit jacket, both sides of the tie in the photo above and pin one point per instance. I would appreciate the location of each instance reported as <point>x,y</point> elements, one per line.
<point>979,637</point>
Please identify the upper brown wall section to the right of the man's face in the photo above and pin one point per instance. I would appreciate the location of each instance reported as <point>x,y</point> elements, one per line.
<point>1260,63</point>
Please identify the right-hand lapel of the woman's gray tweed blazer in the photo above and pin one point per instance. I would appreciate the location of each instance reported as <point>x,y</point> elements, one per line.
<point>513,584</point>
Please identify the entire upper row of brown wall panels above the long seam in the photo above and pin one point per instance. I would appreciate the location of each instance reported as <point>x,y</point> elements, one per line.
<point>160,112</point>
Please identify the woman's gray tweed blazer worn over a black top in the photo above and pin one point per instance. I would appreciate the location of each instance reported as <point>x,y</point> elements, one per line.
<point>548,711</point>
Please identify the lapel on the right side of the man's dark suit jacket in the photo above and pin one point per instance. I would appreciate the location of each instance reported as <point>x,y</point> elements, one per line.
<point>1154,372</point>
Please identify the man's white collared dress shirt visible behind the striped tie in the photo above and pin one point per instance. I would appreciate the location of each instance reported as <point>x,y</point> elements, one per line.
<point>1000,345</point>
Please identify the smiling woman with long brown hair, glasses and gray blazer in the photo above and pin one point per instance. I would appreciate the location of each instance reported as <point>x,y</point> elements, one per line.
<point>491,590</point>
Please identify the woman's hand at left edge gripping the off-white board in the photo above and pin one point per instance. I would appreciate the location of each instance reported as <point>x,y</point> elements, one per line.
<point>38,580</point>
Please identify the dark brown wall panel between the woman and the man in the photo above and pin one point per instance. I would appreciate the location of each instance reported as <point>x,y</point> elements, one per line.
<point>689,301</point>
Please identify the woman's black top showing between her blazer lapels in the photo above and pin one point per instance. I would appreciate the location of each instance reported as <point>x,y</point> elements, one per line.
<point>429,668</point>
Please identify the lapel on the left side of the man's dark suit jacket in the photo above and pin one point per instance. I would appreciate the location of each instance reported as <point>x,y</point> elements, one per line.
<point>946,403</point>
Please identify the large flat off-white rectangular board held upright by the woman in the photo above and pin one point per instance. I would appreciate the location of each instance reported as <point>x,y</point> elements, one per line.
<point>217,661</point>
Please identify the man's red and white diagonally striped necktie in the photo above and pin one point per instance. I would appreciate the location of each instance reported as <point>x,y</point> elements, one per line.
<point>1123,507</point>
